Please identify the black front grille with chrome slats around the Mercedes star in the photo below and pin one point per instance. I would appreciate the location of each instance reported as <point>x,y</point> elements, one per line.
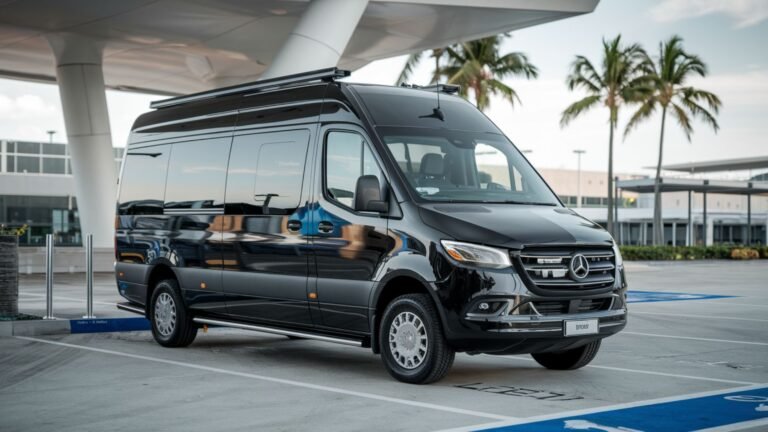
<point>550,268</point>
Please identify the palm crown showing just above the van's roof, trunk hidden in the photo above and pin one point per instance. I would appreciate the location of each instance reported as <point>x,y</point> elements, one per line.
<point>476,66</point>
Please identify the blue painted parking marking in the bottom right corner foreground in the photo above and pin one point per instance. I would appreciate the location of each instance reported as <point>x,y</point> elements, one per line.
<point>723,409</point>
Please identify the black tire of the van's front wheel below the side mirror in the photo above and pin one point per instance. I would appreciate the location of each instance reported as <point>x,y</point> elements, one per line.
<point>436,359</point>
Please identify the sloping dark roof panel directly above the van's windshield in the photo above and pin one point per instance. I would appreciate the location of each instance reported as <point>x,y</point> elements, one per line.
<point>393,106</point>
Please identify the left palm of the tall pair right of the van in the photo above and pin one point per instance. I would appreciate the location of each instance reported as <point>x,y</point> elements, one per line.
<point>620,80</point>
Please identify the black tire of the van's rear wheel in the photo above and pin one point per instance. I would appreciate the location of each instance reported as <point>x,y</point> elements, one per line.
<point>184,330</point>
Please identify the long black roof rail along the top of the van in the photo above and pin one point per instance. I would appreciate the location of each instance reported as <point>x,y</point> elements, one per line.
<point>328,74</point>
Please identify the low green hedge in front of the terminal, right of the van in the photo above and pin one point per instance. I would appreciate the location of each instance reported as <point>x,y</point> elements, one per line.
<point>673,253</point>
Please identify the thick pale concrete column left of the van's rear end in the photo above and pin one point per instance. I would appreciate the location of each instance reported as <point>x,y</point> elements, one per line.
<point>81,88</point>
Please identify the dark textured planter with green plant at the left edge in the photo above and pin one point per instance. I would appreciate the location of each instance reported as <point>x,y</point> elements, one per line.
<point>9,270</point>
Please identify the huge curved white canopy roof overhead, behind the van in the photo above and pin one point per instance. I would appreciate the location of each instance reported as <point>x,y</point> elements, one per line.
<point>177,46</point>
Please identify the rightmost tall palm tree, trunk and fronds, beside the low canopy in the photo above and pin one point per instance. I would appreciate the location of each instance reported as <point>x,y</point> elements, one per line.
<point>668,76</point>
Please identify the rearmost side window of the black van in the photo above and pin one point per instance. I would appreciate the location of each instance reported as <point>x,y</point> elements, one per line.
<point>143,181</point>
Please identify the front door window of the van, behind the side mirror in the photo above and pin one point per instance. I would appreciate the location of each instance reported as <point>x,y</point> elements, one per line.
<point>347,157</point>
